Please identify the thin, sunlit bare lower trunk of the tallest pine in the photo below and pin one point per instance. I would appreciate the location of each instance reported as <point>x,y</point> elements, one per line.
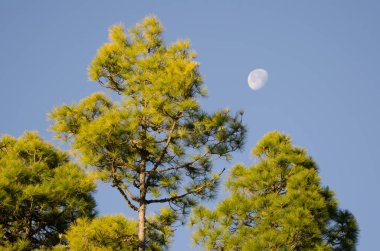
<point>142,209</point>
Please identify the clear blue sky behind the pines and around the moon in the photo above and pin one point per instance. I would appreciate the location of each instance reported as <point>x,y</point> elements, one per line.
<point>323,87</point>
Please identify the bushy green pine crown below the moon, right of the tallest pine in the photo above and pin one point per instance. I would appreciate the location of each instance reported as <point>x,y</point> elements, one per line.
<point>277,204</point>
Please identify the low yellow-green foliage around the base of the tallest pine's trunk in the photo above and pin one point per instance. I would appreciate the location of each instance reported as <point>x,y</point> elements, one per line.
<point>117,232</point>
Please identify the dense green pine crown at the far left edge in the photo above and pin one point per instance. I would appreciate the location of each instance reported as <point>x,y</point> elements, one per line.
<point>41,193</point>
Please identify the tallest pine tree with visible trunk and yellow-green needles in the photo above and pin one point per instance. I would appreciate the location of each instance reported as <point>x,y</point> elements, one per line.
<point>154,145</point>
